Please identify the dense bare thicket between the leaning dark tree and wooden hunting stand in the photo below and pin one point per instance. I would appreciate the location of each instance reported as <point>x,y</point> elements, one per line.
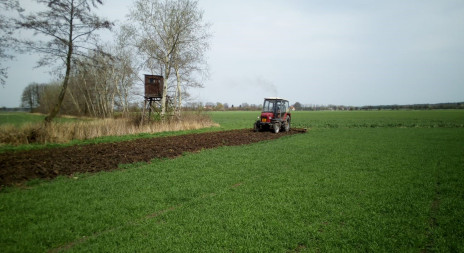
<point>101,82</point>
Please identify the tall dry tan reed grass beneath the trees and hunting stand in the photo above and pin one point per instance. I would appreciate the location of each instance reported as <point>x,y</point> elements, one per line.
<point>89,129</point>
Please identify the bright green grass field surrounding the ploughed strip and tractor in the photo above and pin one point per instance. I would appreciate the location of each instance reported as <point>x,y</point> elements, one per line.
<point>387,181</point>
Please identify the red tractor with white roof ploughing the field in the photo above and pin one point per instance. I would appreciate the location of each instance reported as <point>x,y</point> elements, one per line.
<point>275,115</point>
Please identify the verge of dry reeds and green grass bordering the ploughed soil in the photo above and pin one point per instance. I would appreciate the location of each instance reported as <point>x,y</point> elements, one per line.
<point>26,136</point>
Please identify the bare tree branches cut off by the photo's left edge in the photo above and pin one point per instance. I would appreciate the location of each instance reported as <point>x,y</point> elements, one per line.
<point>6,32</point>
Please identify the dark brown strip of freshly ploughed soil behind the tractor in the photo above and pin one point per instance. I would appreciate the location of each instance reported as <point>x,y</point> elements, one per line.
<point>19,167</point>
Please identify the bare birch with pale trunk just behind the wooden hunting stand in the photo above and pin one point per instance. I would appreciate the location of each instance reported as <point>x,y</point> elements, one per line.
<point>166,30</point>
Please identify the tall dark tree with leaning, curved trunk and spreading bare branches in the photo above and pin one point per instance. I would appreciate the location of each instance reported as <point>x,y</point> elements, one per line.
<point>70,26</point>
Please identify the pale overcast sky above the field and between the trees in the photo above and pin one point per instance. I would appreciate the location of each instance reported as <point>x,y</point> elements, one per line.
<point>315,52</point>
